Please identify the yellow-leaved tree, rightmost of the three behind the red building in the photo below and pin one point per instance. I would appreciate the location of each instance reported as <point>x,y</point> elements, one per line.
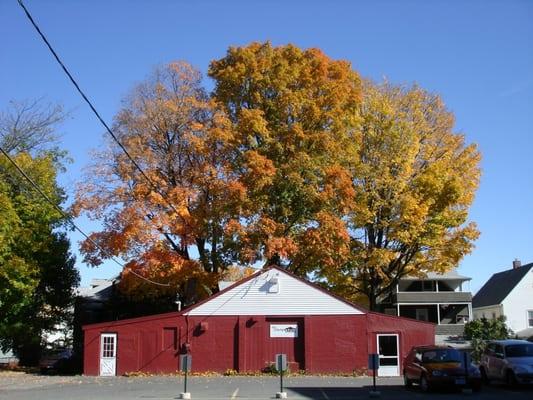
<point>415,183</point>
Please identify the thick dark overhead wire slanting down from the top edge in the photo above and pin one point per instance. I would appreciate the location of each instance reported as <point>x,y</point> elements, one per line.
<point>154,187</point>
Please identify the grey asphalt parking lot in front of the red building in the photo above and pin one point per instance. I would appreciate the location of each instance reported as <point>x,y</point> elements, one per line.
<point>17,386</point>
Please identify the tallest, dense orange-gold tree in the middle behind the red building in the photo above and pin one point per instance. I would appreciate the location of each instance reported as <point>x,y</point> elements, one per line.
<point>292,115</point>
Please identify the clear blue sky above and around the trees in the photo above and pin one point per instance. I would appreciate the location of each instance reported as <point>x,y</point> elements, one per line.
<point>477,54</point>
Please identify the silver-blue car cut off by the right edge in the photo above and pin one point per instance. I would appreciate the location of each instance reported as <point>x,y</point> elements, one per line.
<point>508,360</point>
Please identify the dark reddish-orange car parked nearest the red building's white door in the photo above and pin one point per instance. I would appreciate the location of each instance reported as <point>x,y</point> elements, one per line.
<point>439,366</point>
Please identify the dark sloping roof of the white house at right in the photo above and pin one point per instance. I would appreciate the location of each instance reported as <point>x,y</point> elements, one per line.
<point>496,289</point>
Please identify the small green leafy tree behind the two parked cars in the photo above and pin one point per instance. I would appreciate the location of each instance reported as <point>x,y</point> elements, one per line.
<point>480,330</point>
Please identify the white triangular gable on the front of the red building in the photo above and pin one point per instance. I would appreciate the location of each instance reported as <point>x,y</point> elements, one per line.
<point>273,292</point>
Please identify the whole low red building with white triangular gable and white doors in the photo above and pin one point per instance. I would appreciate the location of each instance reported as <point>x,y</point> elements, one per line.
<point>242,328</point>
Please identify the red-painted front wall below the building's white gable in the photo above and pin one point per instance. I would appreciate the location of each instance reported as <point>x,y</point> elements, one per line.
<point>337,343</point>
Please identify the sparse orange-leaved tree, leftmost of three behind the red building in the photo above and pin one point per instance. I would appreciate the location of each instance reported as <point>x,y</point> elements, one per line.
<point>180,201</point>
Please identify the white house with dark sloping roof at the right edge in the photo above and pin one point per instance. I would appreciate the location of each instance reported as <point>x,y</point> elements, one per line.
<point>508,293</point>
